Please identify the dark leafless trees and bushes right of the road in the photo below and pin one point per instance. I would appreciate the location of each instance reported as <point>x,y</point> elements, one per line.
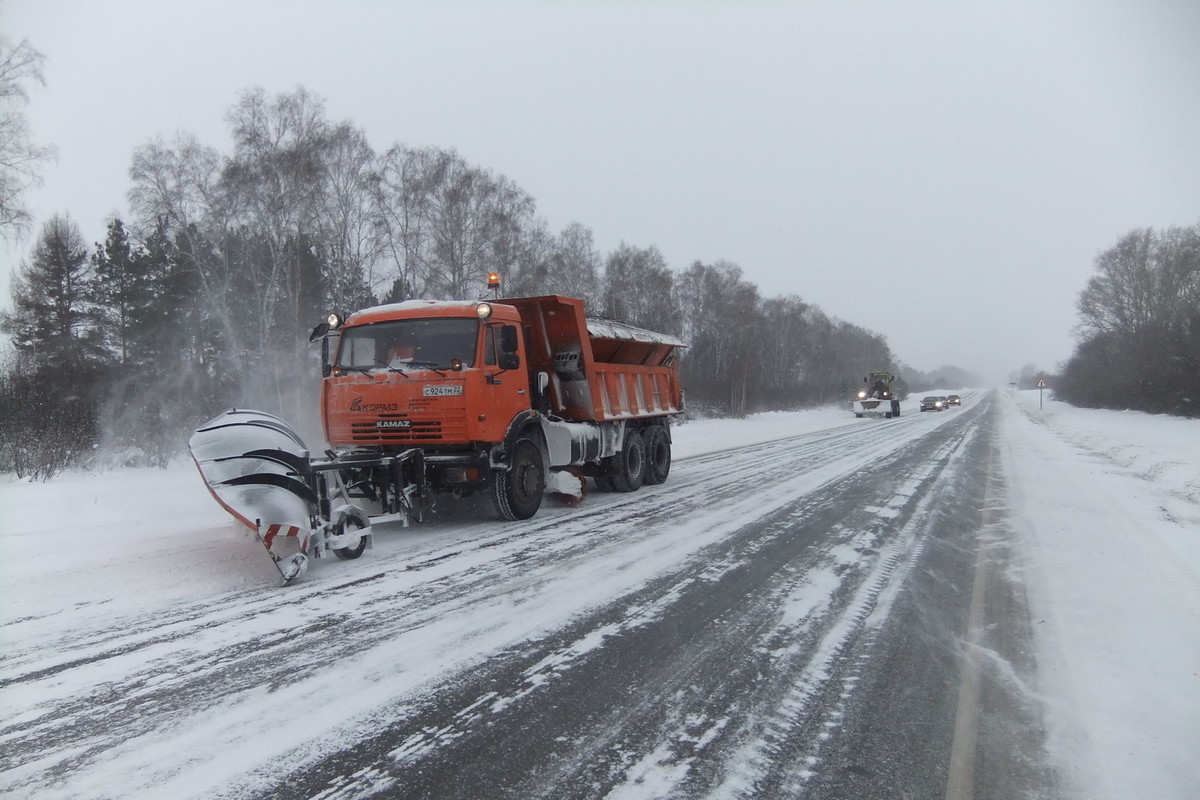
<point>1141,327</point>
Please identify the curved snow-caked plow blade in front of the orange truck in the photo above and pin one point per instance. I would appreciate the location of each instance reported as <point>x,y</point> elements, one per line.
<point>257,468</point>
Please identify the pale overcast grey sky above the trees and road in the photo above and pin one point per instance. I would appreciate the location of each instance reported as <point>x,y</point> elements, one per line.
<point>944,173</point>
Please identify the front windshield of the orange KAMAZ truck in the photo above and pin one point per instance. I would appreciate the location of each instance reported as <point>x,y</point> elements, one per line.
<point>410,345</point>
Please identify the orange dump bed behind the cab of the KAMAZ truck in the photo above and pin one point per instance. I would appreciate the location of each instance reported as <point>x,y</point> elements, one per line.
<point>599,370</point>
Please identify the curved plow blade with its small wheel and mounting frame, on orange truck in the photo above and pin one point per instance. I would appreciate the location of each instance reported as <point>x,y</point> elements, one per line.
<point>261,472</point>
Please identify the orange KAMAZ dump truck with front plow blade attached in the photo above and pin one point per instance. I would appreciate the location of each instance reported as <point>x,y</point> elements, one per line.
<point>425,399</point>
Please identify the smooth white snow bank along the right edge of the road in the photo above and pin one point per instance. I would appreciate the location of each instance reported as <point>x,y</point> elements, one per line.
<point>1107,508</point>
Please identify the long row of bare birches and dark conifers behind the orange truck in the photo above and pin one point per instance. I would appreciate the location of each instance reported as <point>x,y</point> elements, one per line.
<point>203,298</point>
